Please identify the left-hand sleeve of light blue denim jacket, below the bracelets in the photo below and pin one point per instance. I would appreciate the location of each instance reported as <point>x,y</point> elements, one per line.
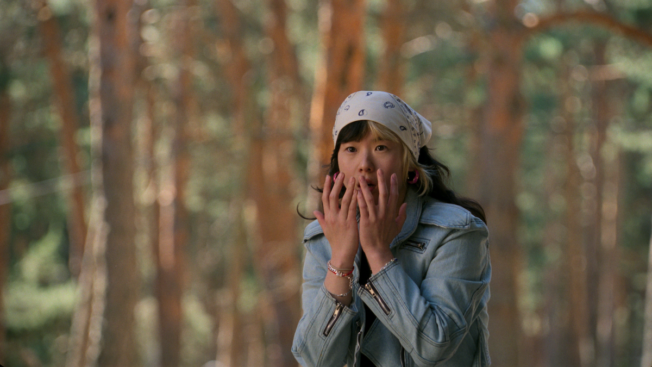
<point>326,329</point>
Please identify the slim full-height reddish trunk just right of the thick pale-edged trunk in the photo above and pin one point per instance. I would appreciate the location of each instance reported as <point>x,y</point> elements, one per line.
<point>173,212</point>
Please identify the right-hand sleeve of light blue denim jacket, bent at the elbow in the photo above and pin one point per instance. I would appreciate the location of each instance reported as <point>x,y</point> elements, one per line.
<point>431,320</point>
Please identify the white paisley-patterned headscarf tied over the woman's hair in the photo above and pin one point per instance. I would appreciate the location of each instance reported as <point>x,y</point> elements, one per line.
<point>388,110</point>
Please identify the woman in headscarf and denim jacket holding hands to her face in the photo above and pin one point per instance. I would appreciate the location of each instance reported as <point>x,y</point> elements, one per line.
<point>397,267</point>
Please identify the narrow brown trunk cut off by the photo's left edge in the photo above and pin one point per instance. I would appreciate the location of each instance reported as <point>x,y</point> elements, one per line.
<point>5,210</point>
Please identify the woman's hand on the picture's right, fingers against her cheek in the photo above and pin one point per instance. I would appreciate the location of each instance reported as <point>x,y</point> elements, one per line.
<point>379,223</point>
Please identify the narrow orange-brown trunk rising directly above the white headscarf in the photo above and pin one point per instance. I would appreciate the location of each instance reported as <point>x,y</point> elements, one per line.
<point>391,74</point>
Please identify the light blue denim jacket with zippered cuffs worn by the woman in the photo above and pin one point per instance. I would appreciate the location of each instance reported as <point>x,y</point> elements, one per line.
<point>431,304</point>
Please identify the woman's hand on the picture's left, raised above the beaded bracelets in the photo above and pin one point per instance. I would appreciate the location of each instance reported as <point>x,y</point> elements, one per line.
<point>338,220</point>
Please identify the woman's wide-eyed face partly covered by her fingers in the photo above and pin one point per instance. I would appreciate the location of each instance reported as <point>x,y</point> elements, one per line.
<point>363,158</point>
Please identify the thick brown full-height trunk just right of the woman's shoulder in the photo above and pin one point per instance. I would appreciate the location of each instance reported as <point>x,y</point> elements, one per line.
<point>502,129</point>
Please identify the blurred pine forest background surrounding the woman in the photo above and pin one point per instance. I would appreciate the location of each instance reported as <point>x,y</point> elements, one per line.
<point>154,155</point>
